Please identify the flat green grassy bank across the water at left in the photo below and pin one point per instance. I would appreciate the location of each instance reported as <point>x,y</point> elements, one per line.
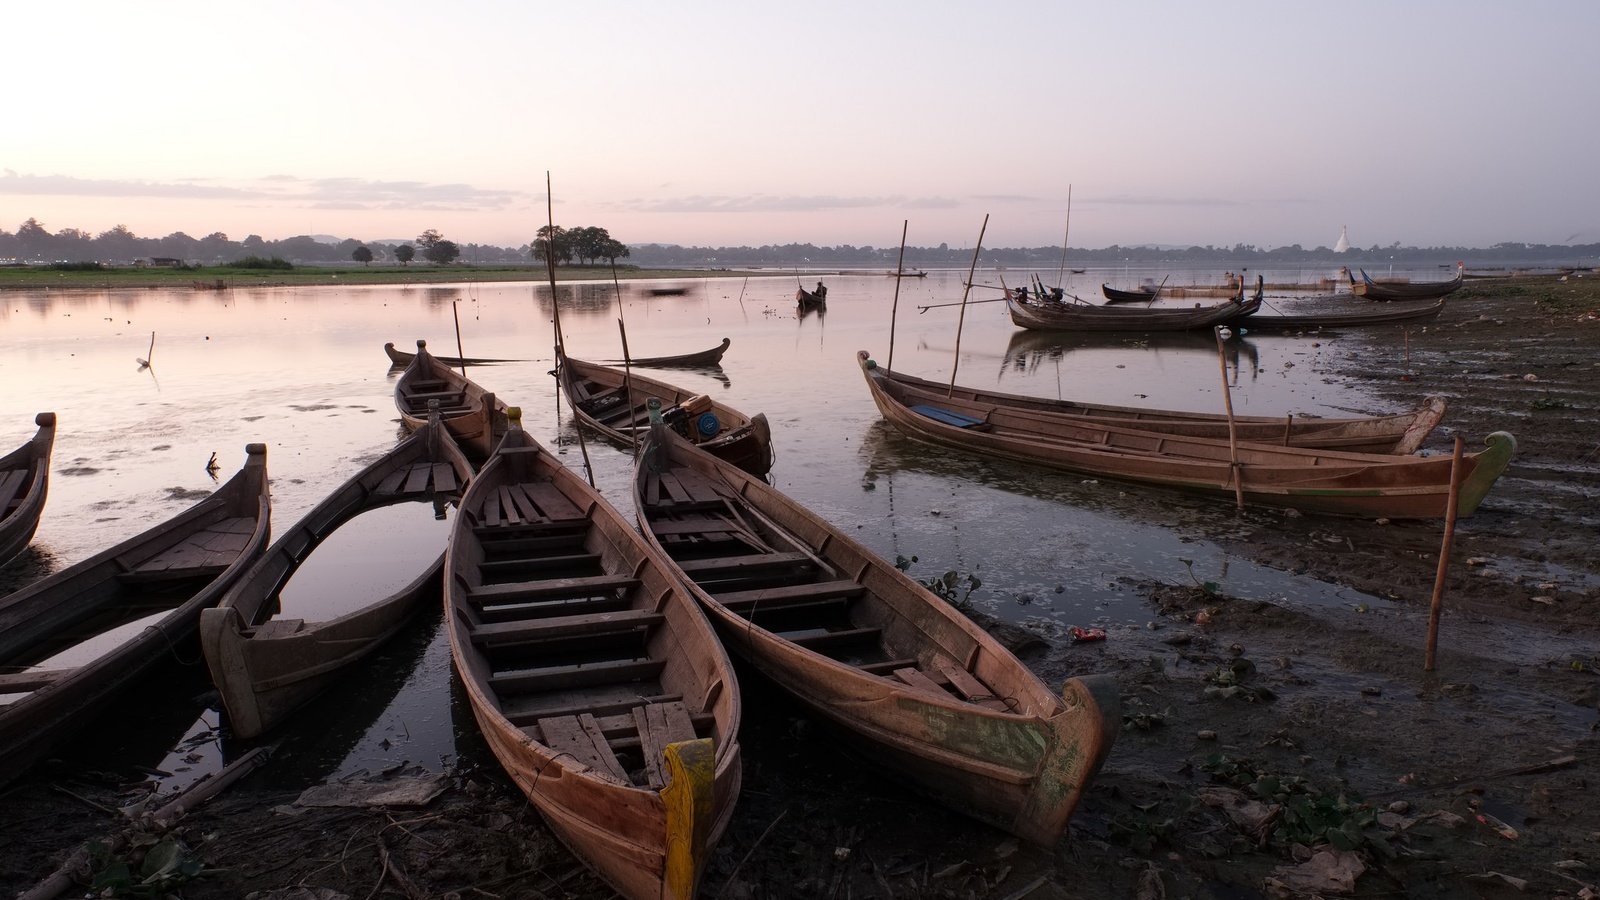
<point>209,278</point>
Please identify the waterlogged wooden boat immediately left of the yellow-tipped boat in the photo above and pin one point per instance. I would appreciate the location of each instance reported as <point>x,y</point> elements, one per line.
<point>266,665</point>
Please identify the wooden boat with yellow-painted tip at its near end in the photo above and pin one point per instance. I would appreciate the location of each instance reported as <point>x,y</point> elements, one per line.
<point>596,680</point>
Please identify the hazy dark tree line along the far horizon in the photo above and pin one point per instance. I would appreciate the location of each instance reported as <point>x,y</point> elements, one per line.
<point>590,246</point>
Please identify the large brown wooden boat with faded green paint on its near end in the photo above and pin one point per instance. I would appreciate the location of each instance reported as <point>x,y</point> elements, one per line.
<point>902,673</point>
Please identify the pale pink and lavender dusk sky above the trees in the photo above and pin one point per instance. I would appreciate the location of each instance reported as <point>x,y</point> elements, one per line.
<point>1425,124</point>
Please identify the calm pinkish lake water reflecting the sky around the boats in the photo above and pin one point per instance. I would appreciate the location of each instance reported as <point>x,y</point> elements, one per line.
<point>303,371</point>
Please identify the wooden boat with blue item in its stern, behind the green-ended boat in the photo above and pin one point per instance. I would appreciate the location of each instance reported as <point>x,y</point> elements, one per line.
<point>615,404</point>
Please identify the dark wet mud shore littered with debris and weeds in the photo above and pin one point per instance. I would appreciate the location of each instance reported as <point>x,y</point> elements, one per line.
<point>1268,747</point>
